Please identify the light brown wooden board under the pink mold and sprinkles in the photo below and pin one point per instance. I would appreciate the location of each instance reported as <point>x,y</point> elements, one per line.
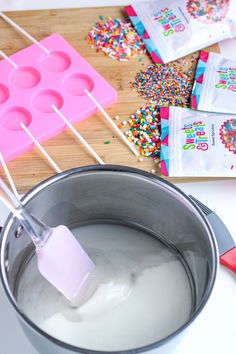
<point>73,25</point>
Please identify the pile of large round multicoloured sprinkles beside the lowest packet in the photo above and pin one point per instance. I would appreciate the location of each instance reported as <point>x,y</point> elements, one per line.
<point>145,130</point>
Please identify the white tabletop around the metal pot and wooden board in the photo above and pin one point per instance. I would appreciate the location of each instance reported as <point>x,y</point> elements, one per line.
<point>214,331</point>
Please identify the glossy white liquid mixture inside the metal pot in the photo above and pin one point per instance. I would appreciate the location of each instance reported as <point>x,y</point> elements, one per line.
<point>145,294</point>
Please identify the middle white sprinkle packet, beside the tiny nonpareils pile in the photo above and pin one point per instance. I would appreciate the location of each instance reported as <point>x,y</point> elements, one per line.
<point>214,88</point>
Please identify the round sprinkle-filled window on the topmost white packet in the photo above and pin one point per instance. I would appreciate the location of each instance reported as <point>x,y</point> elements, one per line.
<point>208,11</point>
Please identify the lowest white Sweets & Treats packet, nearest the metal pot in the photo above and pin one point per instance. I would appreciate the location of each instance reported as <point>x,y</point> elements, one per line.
<point>196,143</point>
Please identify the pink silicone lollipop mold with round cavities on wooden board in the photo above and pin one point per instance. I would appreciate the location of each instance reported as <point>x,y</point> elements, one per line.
<point>40,80</point>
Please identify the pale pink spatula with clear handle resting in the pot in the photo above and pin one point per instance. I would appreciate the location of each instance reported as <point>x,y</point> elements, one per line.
<point>61,259</point>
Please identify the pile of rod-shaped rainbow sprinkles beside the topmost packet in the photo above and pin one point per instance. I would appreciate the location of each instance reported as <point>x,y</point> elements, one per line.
<point>116,38</point>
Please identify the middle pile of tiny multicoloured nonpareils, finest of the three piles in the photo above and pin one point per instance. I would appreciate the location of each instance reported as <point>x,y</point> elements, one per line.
<point>167,84</point>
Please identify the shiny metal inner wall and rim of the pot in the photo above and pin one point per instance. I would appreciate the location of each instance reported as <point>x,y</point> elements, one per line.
<point>123,196</point>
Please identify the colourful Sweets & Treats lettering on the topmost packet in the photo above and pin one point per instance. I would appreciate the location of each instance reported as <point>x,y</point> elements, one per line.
<point>168,21</point>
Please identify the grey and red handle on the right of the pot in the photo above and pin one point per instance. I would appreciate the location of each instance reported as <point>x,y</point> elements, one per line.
<point>225,241</point>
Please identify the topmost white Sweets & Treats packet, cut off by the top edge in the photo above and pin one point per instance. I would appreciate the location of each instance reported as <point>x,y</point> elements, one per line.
<point>172,29</point>
